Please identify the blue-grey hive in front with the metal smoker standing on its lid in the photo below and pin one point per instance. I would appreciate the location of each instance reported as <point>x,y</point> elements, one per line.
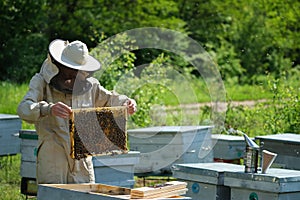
<point>276,184</point>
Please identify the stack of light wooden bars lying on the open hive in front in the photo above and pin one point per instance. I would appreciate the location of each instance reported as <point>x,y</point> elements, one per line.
<point>169,189</point>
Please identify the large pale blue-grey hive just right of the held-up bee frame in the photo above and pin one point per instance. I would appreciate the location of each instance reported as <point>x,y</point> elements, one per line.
<point>163,146</point>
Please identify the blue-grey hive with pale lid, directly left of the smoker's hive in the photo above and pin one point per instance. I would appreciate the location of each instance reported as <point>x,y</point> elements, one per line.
<point>205,180</point>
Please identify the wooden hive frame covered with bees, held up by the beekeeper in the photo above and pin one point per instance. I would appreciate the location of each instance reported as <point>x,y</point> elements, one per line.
<point>98,131</point>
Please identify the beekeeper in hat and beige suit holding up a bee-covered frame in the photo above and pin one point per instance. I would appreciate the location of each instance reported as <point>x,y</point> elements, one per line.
<point>64,82</point>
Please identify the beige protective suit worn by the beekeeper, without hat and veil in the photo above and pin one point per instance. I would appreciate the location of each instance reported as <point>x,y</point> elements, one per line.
<point>54,164</point>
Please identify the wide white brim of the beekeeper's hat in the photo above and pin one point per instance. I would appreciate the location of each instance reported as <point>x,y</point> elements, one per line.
<point>56,48</point>
